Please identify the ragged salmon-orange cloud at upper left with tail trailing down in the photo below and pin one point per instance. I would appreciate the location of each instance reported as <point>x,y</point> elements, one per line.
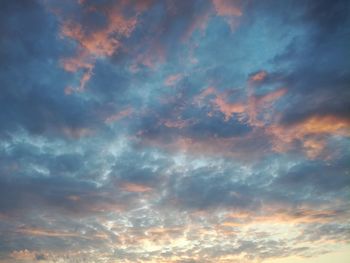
<point>95,44</point>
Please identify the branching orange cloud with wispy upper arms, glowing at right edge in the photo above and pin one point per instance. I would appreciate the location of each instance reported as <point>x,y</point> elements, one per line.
<point>258,112</point>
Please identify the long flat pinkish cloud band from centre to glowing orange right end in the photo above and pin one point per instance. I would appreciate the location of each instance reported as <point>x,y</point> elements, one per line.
<point>312,133</point>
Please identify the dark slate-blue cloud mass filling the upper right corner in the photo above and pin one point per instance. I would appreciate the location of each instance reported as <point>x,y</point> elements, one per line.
<point>318,69</point>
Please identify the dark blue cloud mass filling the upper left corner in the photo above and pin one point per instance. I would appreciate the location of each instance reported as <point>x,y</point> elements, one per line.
<point>32,96</point>
